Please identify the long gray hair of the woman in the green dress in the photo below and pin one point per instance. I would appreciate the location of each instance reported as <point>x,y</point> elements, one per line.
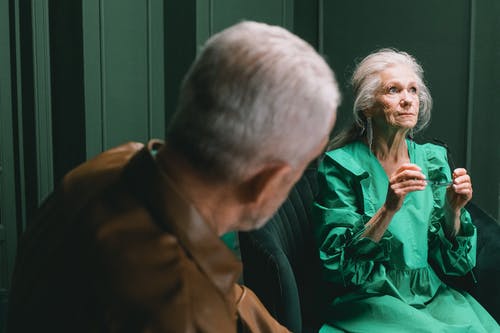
<point>366,81</point>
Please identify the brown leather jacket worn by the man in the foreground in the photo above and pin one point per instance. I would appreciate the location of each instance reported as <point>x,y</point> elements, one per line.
<point>116,249</point>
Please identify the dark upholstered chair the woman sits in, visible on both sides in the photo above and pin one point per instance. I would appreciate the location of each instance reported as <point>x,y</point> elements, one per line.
<point>281,264</point>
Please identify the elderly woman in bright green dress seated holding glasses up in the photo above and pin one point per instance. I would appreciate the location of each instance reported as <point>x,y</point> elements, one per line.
<point>390,213</point>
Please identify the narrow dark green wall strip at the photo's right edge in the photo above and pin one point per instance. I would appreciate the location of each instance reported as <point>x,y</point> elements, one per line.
<point>484,117</point>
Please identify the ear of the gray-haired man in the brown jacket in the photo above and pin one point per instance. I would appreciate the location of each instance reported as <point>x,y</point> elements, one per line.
<point>265,182</point>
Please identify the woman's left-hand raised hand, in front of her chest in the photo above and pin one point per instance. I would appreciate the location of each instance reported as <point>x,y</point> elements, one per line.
<point>407,178</point>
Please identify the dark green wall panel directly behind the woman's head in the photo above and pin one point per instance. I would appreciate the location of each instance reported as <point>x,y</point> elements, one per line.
<point>355,28</point>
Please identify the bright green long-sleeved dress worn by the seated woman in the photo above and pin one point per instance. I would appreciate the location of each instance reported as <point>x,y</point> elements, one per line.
<point>390,286</point>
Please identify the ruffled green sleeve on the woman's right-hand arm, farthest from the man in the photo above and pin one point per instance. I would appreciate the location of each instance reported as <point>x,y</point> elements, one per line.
<point>456,257</point>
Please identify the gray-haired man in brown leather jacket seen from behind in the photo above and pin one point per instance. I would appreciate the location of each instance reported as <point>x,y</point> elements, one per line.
<point>129,241</point>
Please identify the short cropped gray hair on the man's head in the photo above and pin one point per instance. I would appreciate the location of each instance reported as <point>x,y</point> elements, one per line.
<point>256,93</point>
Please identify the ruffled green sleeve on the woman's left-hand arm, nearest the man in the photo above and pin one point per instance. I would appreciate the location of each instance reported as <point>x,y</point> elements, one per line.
<point>340,218</point>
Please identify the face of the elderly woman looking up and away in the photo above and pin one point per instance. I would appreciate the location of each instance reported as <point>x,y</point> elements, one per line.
<point>396,102</point>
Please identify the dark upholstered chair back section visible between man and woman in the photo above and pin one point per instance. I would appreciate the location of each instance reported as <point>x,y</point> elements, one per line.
<point>280,261</point>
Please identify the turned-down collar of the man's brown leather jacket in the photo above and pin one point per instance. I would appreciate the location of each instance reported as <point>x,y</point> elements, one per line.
<point>177,216</point>
